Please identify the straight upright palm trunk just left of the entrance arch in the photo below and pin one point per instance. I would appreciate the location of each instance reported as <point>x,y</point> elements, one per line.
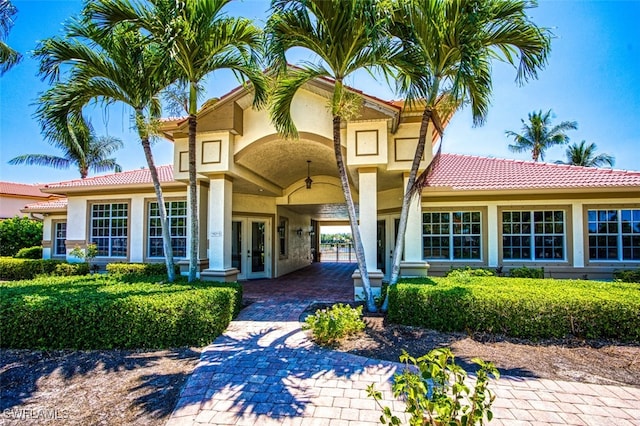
<point>193,188</point>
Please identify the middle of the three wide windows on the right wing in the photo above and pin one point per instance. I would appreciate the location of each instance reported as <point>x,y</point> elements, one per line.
<point>533,235</point>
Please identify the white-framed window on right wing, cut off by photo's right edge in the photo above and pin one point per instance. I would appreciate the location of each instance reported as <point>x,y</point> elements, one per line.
<point>614,234</point>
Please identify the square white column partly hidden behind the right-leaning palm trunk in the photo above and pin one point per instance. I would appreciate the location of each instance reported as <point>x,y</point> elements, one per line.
<point>413,264</point>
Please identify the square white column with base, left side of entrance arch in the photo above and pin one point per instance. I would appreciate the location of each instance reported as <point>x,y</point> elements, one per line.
<point>220,211</point>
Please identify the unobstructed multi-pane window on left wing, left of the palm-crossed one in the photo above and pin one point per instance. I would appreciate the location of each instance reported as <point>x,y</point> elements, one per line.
<point>109,228</point>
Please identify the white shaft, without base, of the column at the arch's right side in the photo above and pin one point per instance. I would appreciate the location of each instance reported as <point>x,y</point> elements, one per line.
<point>368,179</point>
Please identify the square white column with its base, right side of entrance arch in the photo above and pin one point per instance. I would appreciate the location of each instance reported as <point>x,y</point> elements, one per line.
<point>368,215</point>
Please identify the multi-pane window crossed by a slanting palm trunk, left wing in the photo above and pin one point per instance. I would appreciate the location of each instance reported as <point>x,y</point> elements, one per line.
<point>177,216</point>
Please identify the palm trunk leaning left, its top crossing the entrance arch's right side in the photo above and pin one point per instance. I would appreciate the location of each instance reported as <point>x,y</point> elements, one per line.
<point>353,220</point>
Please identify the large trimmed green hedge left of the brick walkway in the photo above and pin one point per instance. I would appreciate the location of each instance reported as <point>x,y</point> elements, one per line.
<point>103,312</point>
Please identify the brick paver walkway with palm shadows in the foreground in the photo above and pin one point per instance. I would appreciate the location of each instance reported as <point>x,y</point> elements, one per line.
<point>265,371</point>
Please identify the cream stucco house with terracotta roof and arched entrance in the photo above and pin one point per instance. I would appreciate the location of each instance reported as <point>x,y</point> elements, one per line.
<point>263,198</point>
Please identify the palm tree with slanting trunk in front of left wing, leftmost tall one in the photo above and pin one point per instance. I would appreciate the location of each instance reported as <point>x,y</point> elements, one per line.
<point>115,65</point>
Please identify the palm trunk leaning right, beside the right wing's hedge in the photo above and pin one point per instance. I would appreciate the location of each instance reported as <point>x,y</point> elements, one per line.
<point>406,202</point>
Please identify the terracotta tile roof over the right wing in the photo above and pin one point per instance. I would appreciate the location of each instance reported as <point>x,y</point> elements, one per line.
<point>465,172</point>
